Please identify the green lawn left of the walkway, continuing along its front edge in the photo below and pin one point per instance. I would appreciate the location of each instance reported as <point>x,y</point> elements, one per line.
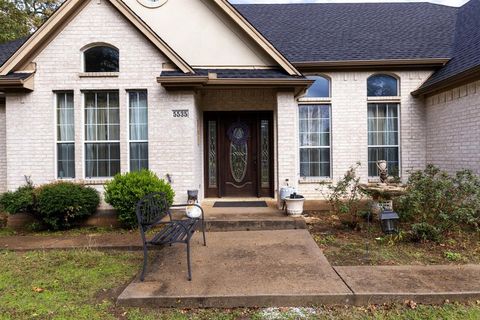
<point>83,284</point>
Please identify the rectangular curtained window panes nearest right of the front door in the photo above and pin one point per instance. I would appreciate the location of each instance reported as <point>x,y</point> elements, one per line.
<point>315,140</point>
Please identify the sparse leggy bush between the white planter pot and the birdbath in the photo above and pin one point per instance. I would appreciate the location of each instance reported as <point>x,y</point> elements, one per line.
<point>345,197</point>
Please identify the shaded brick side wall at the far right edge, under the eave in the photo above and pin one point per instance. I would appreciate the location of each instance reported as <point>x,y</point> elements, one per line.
<point>453,128</point>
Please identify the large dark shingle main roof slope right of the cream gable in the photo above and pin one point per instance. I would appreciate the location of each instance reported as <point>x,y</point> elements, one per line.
<point>350,31</point>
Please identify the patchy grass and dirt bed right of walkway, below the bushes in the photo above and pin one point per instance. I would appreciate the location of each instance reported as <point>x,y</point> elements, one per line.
<point>369,246</point>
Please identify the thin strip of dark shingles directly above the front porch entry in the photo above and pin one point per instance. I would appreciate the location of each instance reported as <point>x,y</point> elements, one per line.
<point>234,73</point>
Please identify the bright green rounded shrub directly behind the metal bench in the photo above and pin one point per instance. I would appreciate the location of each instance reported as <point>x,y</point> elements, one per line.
<point>125,190</point>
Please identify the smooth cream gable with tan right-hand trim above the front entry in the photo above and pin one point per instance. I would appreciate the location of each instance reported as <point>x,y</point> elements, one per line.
<point>211,33</point>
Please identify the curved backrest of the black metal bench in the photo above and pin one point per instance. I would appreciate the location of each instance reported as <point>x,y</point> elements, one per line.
<point>151,209</point>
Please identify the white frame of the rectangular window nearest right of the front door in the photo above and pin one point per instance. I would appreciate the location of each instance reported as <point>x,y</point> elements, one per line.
<point>316,179</point>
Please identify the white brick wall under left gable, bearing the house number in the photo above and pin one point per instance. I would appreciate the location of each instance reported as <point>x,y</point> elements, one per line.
<point>30,117</point>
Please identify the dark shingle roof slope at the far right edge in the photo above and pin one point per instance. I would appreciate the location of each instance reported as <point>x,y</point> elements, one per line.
<point>466,48</point>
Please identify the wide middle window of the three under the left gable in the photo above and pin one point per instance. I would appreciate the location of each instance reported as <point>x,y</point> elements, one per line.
<point>102,134</point>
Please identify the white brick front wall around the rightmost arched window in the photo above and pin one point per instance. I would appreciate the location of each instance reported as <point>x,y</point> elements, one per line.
<point>349,125</point>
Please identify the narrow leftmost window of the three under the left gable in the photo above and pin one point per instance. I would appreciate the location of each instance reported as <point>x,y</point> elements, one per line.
<point>65,135</point>
